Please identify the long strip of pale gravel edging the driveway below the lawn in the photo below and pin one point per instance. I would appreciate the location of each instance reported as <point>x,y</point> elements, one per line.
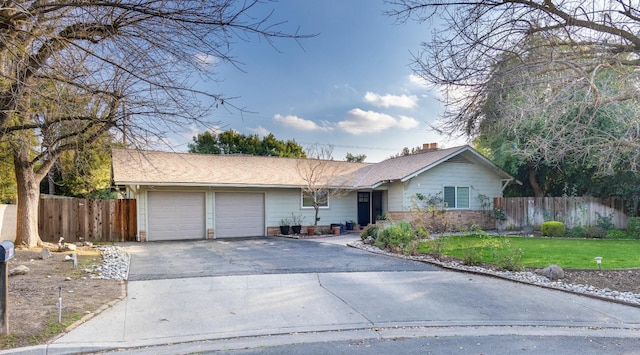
<point>525,277</point>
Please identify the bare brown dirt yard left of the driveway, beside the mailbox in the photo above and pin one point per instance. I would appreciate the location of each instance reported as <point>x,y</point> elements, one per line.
<point>33,298</point>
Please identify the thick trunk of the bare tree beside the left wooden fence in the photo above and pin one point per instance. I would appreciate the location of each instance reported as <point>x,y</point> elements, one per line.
<point>28,199</point>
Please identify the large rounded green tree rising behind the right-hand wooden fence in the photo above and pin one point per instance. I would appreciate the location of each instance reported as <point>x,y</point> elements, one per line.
<point>519,115</point>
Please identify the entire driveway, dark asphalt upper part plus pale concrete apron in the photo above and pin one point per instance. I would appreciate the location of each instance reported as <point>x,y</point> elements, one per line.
<point>253,292</point>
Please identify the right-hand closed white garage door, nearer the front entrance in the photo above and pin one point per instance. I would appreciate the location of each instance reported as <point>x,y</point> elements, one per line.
<point>239,215</point>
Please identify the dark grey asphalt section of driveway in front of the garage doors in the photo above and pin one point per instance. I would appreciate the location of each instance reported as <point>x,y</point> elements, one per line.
<point>255,256</point>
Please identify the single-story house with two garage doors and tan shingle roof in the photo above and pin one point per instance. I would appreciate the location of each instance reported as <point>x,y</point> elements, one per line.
<point>198,196</point>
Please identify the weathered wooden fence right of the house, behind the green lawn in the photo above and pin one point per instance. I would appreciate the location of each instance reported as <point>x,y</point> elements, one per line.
<point>572,211</point>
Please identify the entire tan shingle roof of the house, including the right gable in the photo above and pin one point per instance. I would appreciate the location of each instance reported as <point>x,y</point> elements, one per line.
<point>167,168</point>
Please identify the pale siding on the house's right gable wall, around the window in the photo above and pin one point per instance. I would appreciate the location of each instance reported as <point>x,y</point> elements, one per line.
<point>480,180</point>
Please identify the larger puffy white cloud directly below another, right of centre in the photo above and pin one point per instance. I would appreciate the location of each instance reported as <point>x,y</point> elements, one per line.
<point>359,121</point>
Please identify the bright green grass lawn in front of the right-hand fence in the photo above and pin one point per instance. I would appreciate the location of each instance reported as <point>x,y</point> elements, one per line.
<point>540,252</point>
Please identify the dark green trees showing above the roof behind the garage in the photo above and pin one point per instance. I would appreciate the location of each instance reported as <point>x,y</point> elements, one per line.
<point>232,142</point>
